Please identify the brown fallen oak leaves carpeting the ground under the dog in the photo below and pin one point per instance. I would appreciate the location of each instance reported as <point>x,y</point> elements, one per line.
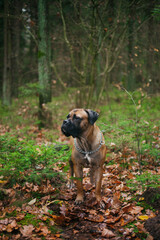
<point>54,215</point>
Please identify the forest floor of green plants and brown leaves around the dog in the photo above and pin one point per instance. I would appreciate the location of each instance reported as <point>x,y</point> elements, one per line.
<point>35,204</point>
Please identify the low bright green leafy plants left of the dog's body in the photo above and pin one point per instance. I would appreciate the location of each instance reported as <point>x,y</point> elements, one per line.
<point>25,161</point>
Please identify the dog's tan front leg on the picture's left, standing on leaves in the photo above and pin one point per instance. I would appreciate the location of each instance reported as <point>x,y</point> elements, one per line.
<point>78,170</point>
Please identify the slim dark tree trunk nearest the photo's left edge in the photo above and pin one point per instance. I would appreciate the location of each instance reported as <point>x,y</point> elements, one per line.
<point>6,92</point>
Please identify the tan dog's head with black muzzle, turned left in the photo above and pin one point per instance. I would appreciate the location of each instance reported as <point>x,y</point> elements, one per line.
<point>77,122</point>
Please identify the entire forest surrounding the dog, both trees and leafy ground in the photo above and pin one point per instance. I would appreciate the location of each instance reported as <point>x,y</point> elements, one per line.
<point>59,55</point>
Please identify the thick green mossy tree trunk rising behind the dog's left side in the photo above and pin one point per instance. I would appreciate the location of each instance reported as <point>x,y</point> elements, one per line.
<point>43,59</point>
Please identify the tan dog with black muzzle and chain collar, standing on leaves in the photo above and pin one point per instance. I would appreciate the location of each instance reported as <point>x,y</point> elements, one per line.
<point>88,149</point>
